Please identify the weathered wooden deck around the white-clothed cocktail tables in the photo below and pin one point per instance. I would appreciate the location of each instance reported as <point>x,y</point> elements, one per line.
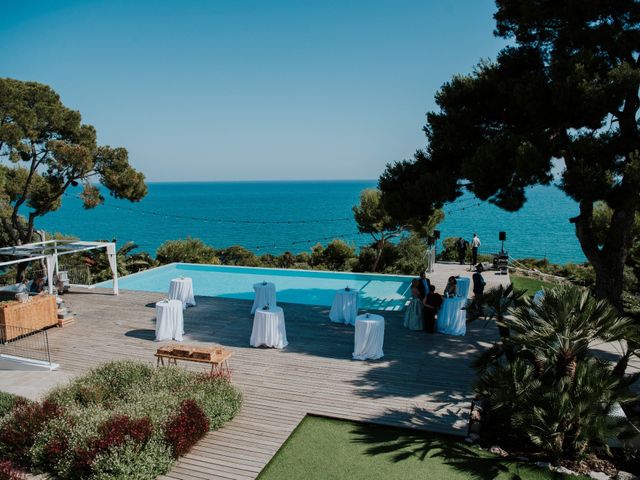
<point>424,381</point>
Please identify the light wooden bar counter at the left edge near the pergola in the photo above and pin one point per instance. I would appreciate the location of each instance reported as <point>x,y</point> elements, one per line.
<point>41,312</point>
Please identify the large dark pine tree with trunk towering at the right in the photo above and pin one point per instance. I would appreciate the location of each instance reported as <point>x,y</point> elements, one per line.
<point>563,93</point>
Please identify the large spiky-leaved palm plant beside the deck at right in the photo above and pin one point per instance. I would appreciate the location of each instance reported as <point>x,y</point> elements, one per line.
<point>543,384</point>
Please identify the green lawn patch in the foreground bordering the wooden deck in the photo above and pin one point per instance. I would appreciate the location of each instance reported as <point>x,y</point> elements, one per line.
<point>322,448</point>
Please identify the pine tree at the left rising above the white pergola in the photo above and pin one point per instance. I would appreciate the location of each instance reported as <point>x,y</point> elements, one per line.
<point>44,149</point>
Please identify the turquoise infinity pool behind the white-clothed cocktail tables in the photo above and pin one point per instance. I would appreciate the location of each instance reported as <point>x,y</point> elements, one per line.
<point>310,287</point>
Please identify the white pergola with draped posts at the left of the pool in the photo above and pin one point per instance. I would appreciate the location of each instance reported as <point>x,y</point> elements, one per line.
<point>50,250</point>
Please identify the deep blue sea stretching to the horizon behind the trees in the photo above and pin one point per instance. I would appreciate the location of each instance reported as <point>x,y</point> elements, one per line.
<point>278,216</point>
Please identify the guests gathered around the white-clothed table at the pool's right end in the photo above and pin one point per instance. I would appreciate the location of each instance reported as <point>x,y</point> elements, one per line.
<point>422,311</point>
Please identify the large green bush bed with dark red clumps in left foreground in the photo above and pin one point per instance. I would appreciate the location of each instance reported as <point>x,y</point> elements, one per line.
<point>112,422</point>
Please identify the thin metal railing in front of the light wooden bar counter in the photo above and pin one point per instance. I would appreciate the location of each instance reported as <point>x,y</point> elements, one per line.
<point>24,343</point>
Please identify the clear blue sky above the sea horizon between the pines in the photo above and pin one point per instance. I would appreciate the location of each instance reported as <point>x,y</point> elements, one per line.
<point>249,90</point>
